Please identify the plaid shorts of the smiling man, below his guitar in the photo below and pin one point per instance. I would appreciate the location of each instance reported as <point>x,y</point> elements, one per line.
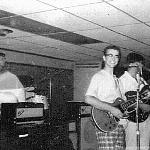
<point>114,140</point>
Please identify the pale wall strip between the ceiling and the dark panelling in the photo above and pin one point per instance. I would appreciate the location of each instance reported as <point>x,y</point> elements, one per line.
<point>37,60</point>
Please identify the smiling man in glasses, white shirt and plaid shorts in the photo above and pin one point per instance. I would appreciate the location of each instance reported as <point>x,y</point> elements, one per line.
<point>102,91</point>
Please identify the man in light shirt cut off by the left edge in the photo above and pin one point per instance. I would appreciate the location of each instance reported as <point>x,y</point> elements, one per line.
<point>11,89</point>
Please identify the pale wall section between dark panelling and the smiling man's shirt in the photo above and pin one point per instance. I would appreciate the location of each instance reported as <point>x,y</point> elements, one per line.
<point>82,77</point>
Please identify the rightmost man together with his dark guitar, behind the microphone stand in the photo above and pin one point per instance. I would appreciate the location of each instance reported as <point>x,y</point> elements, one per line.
<point>131,81</point>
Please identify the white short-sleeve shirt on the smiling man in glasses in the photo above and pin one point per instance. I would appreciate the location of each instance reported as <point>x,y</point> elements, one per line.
<point>103,86</point>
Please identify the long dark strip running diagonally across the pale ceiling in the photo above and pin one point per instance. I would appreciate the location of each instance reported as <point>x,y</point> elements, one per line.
<point>42,29</point>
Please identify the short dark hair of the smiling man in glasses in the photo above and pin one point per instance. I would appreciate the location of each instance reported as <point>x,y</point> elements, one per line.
<point>106,50</point>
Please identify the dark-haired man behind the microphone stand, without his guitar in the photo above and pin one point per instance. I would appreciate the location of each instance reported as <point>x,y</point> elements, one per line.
<point>130,80</point>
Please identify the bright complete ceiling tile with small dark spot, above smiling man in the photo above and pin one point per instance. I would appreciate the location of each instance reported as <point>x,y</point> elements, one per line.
<point>101,15</point>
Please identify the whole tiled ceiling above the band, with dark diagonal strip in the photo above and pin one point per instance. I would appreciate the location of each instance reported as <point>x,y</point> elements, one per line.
<point>76,30</point>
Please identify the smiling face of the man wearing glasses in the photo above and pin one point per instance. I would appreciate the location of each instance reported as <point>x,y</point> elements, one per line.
<point>111,58</point>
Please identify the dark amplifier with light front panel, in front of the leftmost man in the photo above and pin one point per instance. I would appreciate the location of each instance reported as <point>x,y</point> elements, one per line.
<point>21,113</point>
